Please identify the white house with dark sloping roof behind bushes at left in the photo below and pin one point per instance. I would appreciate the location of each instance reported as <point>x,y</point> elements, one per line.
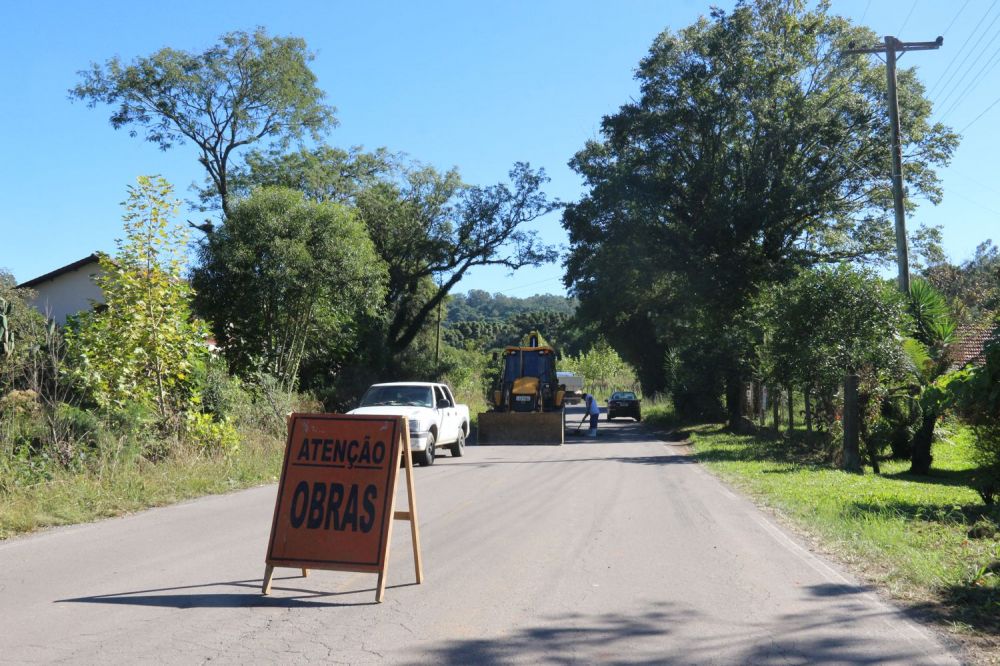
<point>67,290</point>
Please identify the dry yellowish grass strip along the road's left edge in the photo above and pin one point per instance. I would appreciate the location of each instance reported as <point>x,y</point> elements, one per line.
<point>124,486</point>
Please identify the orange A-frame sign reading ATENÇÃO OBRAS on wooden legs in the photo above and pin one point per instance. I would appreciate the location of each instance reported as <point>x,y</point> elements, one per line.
<point>336,496</point>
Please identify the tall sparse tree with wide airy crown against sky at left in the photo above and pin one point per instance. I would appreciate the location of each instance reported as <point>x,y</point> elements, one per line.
<point>246,89</point>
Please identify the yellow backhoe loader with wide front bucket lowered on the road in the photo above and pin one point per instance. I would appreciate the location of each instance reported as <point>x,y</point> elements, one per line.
<point>527,399</point>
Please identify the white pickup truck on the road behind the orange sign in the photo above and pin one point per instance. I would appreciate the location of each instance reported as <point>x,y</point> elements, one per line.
<point>436,420</point>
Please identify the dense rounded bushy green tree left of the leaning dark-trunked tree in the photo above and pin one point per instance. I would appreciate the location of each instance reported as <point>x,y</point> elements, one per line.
<point>285,283</point>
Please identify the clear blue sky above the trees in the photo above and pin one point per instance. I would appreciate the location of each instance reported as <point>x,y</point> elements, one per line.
<point>477,85</point>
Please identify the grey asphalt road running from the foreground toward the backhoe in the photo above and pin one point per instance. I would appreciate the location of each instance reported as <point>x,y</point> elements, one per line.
<point>620,550</point>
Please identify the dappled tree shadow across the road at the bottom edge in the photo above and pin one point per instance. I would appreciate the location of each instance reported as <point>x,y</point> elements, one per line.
<point>830,637</point>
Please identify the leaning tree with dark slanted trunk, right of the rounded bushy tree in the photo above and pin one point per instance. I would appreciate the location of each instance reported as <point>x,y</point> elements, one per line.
<point>429,227</point>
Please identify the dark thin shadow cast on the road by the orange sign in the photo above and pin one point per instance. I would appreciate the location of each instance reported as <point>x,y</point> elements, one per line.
<point>303,598</point>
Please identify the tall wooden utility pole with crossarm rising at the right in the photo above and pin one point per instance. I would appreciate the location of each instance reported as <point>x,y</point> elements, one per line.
<point>891,47</point>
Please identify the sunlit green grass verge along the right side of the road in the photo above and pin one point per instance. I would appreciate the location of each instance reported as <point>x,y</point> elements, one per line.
<point>927,541</point>
